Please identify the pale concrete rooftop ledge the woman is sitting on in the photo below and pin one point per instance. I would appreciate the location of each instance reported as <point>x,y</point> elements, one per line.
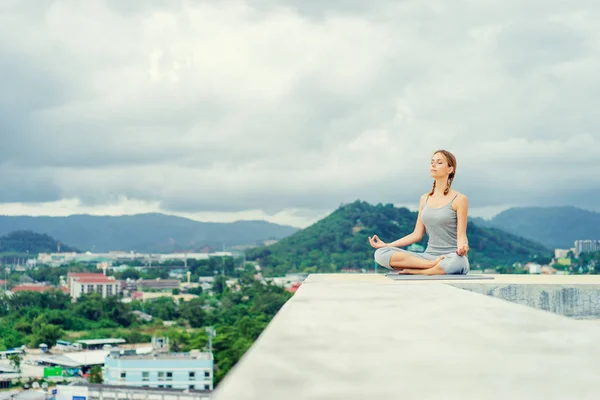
<point>365,336</point>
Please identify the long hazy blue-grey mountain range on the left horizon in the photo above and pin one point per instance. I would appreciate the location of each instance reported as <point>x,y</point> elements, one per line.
<point>156,233</point>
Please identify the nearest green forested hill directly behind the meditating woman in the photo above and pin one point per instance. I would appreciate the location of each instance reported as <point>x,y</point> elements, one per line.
<point>340,240</point>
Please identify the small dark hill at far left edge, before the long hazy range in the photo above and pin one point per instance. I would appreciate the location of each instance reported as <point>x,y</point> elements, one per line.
<point>24,242</point>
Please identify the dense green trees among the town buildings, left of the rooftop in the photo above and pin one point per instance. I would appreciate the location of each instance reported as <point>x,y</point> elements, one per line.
<point>238,317</point>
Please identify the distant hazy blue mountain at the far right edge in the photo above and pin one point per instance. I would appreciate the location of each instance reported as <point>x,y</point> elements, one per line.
<point>554,227</point>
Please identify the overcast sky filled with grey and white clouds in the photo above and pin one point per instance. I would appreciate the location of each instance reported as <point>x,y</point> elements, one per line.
<point>225,110</point>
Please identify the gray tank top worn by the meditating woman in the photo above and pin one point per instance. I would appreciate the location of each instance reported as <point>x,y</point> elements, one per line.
<point>440,224</point>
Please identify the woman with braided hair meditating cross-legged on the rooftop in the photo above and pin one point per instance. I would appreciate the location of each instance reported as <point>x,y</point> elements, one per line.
<point>443,215</point>
